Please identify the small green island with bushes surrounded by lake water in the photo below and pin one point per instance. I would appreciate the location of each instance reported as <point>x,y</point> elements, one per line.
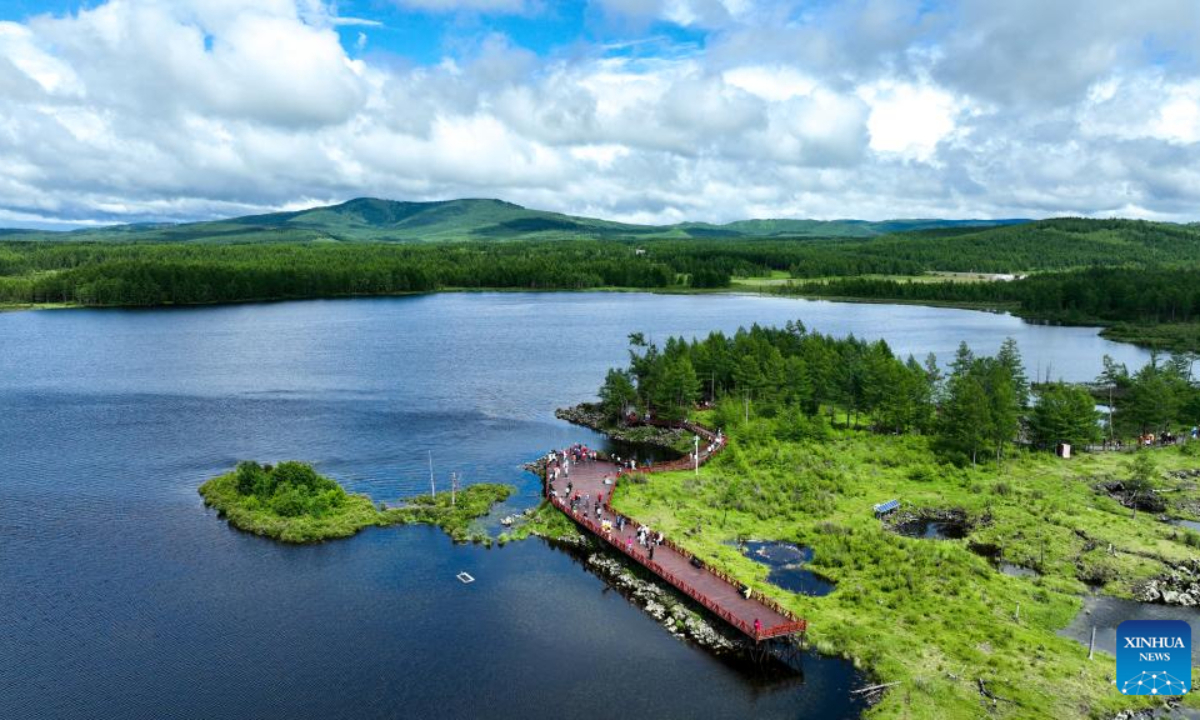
<point>293,503</point>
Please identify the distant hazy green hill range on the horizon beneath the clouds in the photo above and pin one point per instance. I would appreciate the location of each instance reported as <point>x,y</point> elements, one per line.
<point>395,221</point>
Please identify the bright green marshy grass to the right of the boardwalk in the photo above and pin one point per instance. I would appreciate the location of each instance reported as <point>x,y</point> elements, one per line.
<point>933,615</point>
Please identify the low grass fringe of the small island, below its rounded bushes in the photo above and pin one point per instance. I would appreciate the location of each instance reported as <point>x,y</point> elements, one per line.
<point>357,512</point>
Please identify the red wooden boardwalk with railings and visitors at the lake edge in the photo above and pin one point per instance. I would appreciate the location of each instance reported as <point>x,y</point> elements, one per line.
<point>757,616</point>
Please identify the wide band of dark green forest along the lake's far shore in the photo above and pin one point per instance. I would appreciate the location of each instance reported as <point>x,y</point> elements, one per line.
<point>1142,279</point>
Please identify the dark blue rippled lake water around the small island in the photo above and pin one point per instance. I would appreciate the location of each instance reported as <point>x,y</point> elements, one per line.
<point>122,597</point>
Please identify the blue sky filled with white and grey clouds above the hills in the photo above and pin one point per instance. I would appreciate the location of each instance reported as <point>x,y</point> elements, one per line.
<point>647,111</point>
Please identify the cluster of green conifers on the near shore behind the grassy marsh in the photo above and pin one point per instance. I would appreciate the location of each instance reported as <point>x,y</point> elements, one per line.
<point>975,410</point>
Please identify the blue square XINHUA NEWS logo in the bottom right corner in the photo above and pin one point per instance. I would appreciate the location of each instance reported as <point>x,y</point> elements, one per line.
<point>1154,658</point>
